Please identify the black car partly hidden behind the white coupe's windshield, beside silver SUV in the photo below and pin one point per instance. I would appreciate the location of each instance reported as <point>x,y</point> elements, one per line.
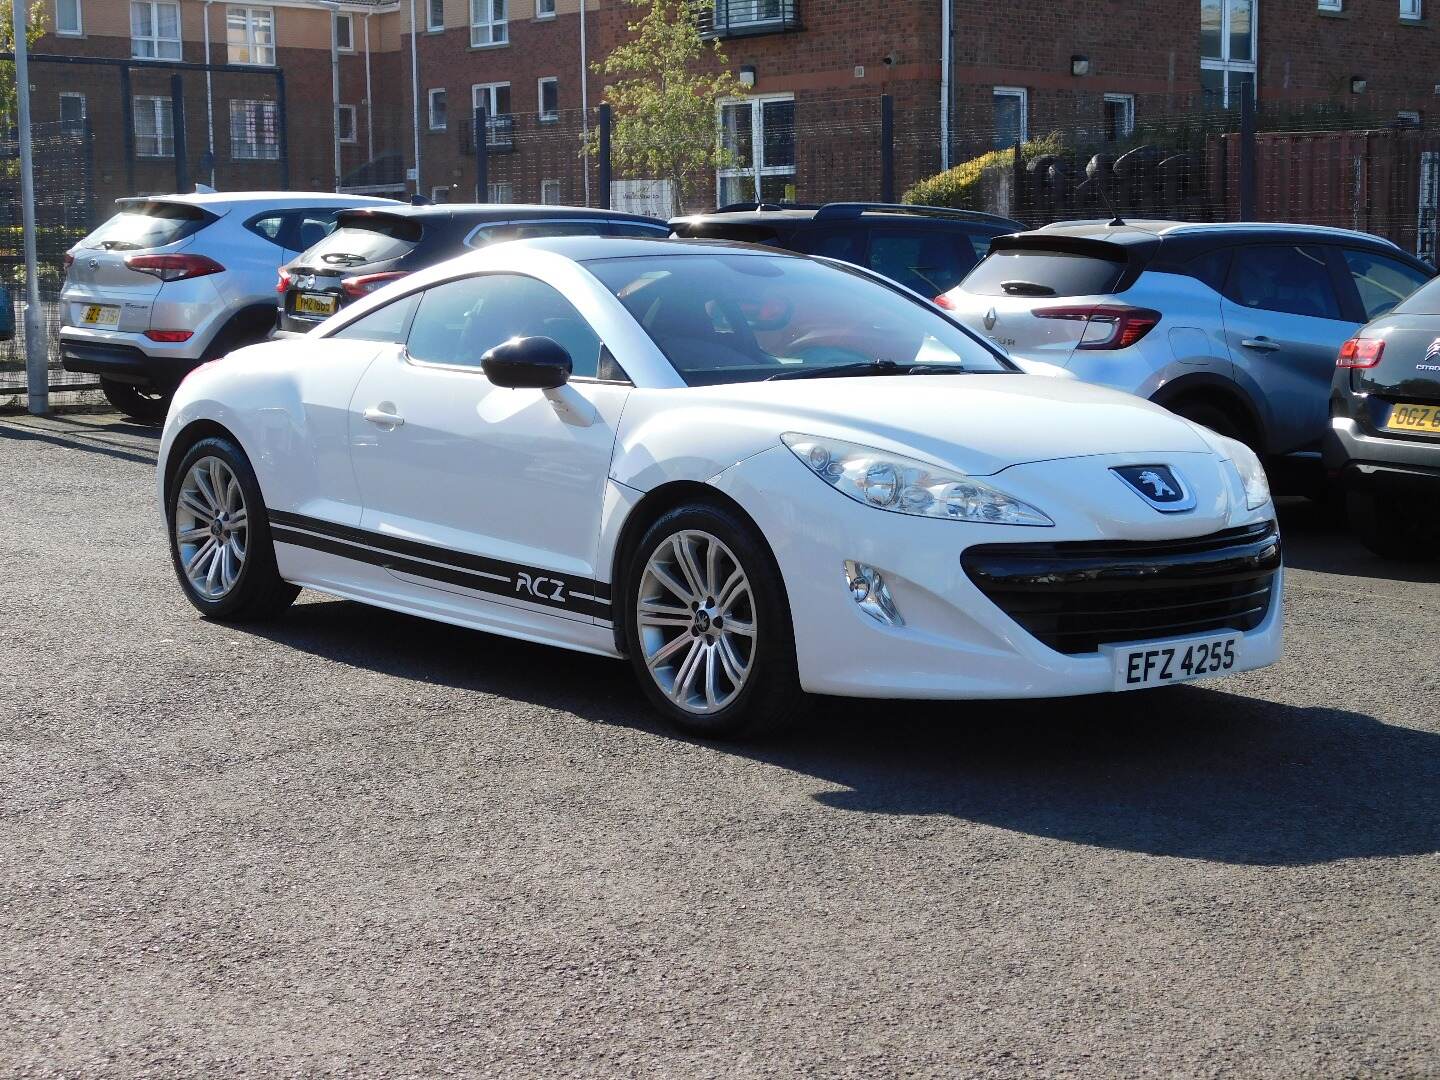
<point>925,248</point>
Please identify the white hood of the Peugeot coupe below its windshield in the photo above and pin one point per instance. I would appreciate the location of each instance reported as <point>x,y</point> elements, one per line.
<point>978,424</point>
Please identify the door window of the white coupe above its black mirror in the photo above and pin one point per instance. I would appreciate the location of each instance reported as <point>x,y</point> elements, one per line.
<point>462,320</point>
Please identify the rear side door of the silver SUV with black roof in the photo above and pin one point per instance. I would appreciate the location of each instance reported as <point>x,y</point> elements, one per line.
<point>1284,326</point>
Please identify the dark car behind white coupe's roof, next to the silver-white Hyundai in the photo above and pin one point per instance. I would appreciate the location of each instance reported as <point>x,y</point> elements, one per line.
<point>368,250</point>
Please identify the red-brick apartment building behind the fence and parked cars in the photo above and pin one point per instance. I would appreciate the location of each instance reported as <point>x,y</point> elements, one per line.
<point>266,113</point>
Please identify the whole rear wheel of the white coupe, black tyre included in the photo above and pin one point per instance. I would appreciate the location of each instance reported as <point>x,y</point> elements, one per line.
<point>238,580</point>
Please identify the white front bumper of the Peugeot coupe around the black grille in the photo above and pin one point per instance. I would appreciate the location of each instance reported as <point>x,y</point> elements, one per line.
<point>955,643</point>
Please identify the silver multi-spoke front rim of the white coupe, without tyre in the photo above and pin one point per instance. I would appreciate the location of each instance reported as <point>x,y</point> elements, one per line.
<point>696,618</point>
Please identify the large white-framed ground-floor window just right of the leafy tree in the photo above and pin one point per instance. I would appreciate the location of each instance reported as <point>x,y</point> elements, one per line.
<point>758,136</point>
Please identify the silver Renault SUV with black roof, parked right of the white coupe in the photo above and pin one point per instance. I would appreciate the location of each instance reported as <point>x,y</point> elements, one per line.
<point>1232,326</point>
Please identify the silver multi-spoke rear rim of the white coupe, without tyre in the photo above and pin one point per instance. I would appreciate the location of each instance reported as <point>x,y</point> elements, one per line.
<point>212,528</point>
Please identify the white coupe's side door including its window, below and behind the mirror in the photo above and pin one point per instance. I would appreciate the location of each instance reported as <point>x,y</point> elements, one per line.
<point>489,493</point>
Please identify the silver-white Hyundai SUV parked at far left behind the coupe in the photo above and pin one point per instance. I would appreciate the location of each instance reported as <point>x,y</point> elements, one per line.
<point>174,282</point>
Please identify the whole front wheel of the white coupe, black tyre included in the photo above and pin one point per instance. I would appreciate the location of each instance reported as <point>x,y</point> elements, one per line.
<point>726,683</point>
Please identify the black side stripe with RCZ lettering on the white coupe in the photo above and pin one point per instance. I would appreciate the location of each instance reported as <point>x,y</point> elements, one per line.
<point>529,584</point>
